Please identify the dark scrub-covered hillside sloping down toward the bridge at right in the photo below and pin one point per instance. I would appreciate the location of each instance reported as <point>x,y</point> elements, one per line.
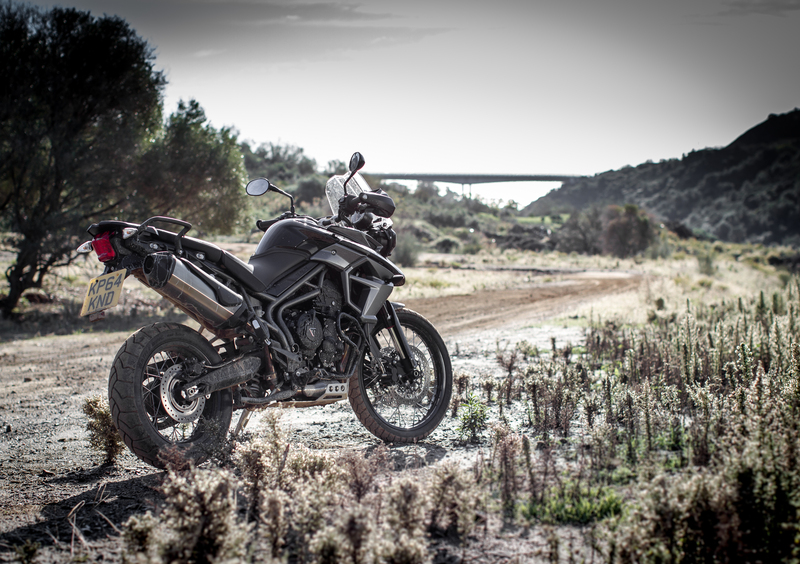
<point>748,191</point>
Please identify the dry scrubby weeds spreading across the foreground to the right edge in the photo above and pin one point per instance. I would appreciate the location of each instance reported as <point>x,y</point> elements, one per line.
<point>678,441</point>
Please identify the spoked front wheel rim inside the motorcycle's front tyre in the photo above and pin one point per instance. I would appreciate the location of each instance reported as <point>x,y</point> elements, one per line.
<point>403,405</point>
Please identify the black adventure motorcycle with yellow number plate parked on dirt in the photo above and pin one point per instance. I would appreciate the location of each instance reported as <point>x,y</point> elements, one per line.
<point>306,322</point>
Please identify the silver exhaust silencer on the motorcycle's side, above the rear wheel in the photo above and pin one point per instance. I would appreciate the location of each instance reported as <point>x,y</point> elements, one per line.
<point>201,296</point>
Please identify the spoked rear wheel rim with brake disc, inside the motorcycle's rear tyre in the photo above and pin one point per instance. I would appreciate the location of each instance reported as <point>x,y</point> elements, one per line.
<point>176,421</point>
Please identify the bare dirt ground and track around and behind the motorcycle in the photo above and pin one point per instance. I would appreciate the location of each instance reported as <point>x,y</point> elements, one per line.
<point>54,490</point>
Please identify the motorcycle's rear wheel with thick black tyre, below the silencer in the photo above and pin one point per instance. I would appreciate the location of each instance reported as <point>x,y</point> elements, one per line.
<point>149,416</point>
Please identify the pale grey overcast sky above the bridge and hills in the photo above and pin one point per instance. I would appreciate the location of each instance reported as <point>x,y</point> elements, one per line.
<point>501,86</point>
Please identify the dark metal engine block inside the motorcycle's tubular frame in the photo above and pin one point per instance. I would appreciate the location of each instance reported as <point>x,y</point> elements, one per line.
<point>314,329</point>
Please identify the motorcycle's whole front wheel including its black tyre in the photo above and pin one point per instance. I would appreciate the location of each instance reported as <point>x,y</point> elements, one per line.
<point>404,413</point>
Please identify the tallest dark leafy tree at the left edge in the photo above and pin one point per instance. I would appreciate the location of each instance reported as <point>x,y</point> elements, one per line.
<point>79,98</point>
